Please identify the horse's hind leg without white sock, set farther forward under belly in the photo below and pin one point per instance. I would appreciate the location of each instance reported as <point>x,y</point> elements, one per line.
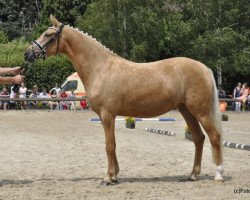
<point>198,138</point>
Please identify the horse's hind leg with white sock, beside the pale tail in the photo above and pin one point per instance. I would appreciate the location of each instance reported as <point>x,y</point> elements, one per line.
<point>215,139</point>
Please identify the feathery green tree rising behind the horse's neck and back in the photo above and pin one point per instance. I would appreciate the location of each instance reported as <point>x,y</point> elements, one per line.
<point>131,28</point>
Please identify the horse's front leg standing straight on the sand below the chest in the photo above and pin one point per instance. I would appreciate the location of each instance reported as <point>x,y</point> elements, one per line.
<point>108,122</point>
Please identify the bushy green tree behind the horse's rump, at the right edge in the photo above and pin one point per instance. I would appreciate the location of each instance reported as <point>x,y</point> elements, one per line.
<point>214,32</point>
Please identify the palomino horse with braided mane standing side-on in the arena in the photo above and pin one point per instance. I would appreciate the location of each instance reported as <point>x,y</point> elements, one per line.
<point>116,86</point>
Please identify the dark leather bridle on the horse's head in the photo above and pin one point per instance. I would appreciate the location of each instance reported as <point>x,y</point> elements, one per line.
<point>43,48</point>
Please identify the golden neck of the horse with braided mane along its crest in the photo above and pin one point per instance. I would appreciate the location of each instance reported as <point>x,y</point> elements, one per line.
<point>87,55</point>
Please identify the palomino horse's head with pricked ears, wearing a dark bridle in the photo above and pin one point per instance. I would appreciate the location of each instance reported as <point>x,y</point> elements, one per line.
<point>47,44</point>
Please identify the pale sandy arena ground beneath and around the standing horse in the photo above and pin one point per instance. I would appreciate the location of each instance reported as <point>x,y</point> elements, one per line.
<point>61,155</point>
